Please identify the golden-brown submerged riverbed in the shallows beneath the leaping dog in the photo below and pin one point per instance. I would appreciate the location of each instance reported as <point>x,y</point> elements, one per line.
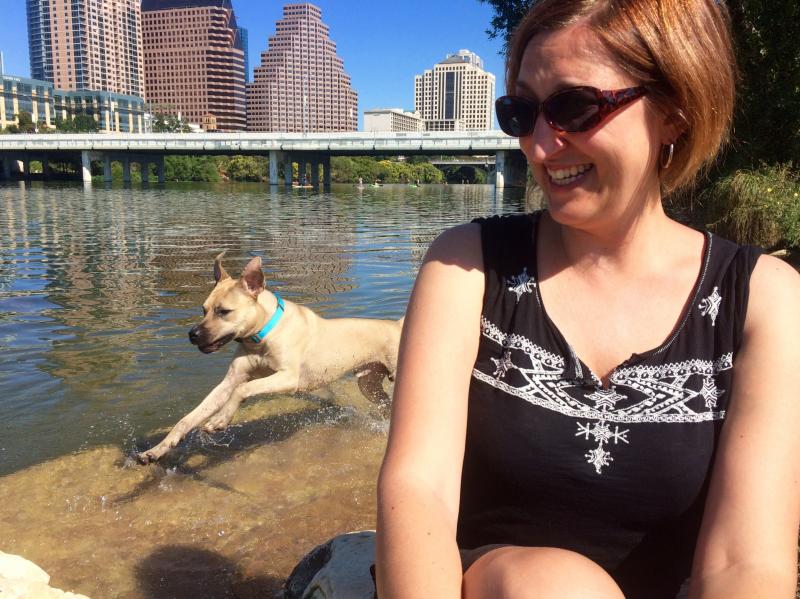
<point>229,516</point>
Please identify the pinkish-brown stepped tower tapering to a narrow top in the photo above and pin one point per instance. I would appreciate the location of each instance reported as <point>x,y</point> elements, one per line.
<point>301,85</point>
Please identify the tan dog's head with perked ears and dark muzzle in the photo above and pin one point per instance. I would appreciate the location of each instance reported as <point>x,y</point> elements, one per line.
<point>232,310</point>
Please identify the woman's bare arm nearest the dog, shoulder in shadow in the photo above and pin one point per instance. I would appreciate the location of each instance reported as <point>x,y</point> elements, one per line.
<point>420,480</point>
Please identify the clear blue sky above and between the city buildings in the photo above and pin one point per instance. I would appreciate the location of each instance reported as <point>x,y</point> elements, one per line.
<point>383,44</point>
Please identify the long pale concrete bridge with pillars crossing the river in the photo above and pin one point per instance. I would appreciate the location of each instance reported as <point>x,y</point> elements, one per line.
<point>308,150</point>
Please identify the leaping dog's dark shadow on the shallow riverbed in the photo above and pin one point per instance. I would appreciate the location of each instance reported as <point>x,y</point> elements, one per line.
<point>202,451</point>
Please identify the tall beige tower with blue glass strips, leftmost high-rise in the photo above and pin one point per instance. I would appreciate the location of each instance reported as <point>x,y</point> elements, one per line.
<point>87,44</point>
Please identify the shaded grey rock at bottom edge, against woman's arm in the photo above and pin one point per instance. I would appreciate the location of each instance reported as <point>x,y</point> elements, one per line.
<point>338,569</point>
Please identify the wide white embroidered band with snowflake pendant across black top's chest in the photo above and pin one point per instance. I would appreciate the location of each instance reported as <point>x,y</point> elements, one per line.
<point>675,392</point>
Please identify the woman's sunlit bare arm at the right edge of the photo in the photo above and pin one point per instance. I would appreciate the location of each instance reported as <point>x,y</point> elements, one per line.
<point>748,542</point>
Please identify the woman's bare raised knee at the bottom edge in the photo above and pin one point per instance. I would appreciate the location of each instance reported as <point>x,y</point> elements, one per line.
<point>538,573</point>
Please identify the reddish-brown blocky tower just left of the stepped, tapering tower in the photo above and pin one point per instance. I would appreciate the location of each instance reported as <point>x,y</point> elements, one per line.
<point>195,61</point>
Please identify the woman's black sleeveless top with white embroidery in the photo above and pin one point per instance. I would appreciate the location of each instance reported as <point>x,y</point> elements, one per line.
<point>553,459</point>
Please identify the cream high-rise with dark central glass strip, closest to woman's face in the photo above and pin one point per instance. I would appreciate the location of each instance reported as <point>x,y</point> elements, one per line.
<point>456,95</point>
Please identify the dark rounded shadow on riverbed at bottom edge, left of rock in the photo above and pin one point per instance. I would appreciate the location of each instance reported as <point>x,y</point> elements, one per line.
<point>188,572</point>
